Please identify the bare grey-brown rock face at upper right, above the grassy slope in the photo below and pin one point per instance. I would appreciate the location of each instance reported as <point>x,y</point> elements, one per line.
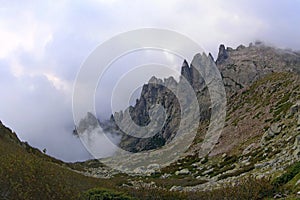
<point>244,65</point>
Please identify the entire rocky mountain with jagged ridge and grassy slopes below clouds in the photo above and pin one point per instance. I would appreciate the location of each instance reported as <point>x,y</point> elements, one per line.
<point>256,156</point>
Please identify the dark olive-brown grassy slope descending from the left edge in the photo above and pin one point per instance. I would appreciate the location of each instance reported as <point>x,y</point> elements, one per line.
<point>26,173</point>
